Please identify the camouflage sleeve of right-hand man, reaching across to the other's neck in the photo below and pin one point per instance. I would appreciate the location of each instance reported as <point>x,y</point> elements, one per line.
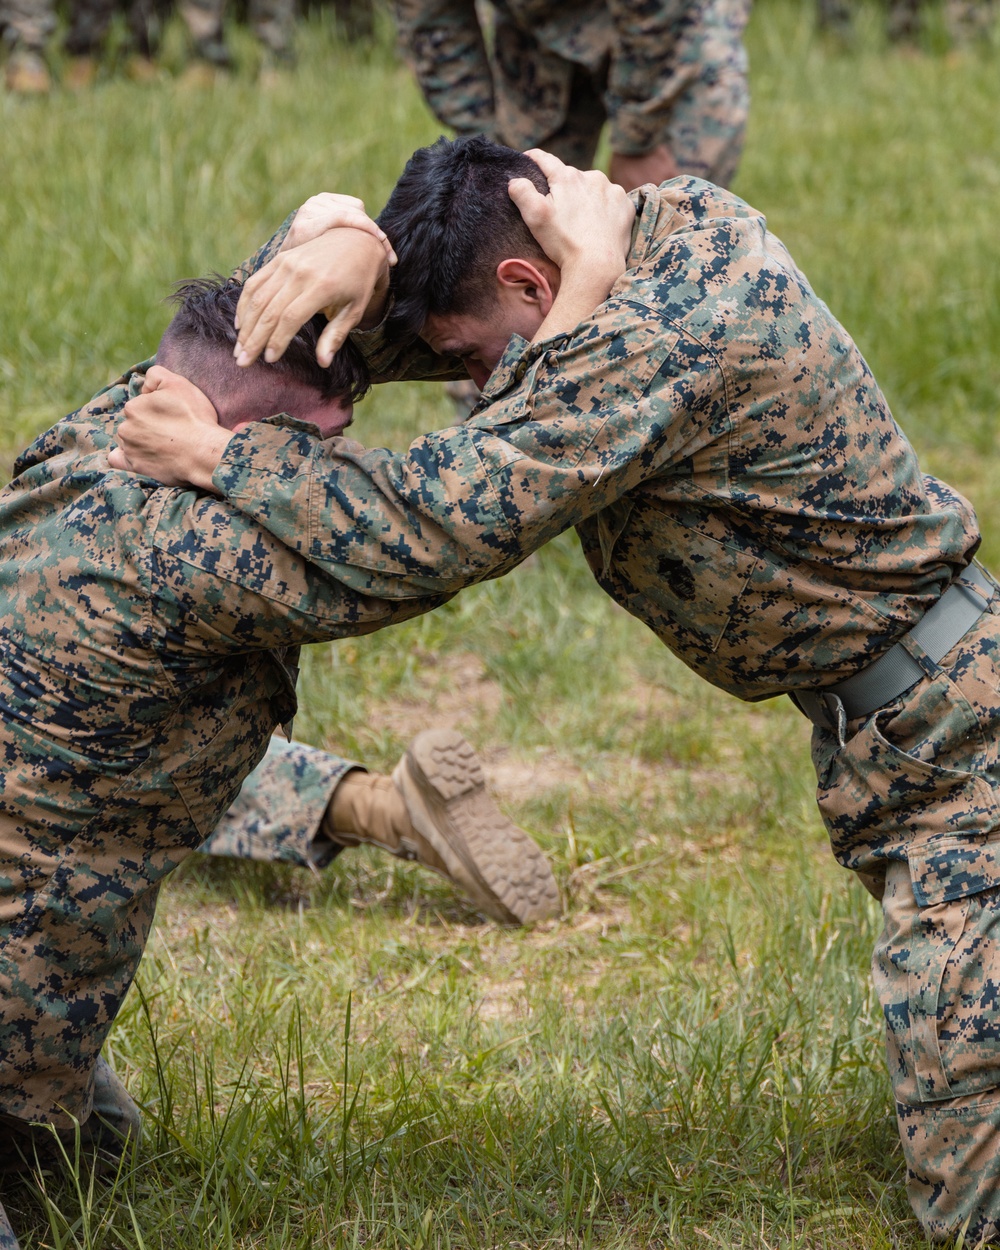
<point>571,427</point>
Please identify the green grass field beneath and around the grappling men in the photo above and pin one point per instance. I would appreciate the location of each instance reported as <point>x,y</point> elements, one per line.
<point>692,1057</point>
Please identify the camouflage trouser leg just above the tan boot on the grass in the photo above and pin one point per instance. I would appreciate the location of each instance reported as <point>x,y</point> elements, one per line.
<point>277,816</point>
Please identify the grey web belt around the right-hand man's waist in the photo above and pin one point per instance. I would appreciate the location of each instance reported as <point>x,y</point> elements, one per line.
<point>939,629</point>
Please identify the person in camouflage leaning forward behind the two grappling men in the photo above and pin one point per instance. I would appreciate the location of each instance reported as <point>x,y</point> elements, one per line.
<point>672,72</point>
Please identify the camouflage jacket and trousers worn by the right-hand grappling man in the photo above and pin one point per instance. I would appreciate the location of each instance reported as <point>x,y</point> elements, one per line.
<point>738,483</point>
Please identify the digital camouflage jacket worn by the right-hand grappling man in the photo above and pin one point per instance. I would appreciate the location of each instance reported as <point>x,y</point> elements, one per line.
<point>731,466</point>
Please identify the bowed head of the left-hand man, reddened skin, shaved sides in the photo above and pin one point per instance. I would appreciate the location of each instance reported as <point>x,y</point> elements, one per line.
<point>199,344</point>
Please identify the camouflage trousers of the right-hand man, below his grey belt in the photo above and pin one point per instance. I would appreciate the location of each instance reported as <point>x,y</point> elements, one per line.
<point>923,777</point>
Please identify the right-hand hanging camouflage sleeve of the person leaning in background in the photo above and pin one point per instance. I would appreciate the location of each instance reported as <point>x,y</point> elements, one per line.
<point>647,77</point>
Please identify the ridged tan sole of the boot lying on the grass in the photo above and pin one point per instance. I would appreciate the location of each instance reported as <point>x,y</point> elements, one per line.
<point>506,872</point>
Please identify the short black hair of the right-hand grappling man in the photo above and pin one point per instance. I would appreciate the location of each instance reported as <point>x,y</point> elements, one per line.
<point>452,223</point>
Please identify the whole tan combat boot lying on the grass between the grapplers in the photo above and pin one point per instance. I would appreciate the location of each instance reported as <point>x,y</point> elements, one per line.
<point>436,811</point>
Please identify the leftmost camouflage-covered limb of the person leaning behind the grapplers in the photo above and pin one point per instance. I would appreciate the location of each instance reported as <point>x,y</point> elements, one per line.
<point>443,43</point>
